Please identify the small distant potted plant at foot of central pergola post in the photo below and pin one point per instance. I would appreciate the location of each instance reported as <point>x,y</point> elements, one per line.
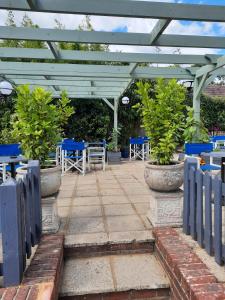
<point>113,153</point>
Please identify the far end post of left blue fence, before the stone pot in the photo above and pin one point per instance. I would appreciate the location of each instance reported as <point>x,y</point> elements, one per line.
<point>34,169</point>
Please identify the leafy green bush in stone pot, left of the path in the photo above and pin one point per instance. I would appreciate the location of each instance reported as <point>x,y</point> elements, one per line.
<point>37,125</point>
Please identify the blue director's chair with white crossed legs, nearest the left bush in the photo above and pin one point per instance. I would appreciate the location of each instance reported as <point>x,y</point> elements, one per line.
<point>74,156</point>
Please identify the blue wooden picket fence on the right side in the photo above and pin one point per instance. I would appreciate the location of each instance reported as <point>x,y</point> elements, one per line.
<point>204,195</point>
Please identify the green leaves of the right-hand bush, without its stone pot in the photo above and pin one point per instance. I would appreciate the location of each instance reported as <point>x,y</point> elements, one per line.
<point>162,116</point>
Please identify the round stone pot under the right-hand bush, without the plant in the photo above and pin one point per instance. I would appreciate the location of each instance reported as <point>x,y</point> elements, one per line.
<point>164,178</point>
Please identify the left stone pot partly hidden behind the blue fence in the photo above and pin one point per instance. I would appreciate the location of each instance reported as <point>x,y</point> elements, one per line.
<point>50,179</point>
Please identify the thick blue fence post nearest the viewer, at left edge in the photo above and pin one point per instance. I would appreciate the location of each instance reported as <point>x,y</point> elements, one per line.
<point>12,239</point>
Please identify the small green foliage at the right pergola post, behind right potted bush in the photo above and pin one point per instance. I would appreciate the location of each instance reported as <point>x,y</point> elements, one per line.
<point>194,131</point>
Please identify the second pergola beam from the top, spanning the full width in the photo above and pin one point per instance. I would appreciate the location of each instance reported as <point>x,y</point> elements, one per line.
<point>117,38</point>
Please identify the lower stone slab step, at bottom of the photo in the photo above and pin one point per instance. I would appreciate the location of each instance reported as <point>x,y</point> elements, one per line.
<point>131,276</point>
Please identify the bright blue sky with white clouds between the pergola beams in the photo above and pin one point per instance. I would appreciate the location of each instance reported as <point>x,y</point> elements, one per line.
<point>116,24</point>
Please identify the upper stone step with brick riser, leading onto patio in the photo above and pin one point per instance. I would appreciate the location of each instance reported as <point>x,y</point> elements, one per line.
<point>99,244</point>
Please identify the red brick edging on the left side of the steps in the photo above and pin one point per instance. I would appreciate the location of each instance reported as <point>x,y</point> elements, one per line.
<point>42,277</point>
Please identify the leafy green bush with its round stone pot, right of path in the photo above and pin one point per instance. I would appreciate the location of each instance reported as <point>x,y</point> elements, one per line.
<point>163,120</point>
